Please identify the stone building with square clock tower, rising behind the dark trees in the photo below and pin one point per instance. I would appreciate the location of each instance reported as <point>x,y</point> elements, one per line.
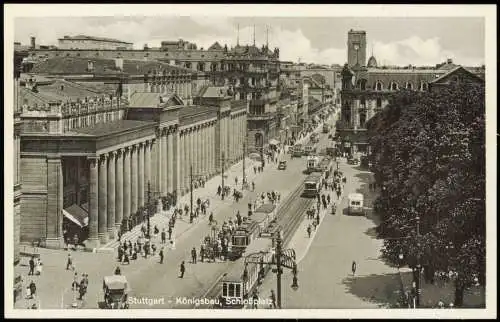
<point>367,87</point>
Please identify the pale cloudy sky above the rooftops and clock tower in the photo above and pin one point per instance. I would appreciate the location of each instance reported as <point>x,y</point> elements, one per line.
<point>395,41</point>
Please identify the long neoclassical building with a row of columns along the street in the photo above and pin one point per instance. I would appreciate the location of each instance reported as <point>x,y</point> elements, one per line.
<point>89,157</point>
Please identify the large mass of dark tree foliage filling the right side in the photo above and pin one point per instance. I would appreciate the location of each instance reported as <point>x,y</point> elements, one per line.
<point>428,152</point>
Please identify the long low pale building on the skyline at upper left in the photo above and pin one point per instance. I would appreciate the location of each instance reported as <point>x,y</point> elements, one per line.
<point>89,42</point>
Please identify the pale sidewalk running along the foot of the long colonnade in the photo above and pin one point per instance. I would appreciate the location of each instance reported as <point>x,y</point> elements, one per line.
<point>183,225</point>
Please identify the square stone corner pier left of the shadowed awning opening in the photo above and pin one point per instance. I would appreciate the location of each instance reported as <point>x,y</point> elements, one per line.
<point>54,237</point>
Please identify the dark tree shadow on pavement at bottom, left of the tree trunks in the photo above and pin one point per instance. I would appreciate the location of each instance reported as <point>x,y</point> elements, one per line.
<point>383,290</point>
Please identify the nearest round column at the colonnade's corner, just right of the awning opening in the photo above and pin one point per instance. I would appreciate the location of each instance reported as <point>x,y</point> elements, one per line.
<point>93,240</point>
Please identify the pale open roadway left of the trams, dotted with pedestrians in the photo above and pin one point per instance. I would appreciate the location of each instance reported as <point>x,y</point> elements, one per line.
<point>160,282</point>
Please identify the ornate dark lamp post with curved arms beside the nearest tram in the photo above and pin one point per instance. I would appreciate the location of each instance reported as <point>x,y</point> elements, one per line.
<point>282,258</point>
